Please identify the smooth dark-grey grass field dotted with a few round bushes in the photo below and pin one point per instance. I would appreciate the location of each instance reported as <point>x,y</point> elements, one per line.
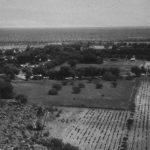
<point>107,97</point>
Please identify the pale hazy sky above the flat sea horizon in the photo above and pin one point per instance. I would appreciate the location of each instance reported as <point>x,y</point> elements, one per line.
<point>74,13</point>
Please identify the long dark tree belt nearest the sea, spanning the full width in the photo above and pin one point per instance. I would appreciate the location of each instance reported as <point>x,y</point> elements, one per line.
<point>73,51</point>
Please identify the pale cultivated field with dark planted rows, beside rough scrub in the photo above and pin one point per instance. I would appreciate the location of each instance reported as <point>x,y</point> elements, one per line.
<point>102,129</point>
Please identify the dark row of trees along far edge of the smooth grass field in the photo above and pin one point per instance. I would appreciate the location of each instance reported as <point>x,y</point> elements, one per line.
<point>92,72</point>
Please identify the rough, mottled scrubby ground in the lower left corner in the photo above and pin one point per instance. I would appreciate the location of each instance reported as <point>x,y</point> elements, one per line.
<point>21,128</point>
